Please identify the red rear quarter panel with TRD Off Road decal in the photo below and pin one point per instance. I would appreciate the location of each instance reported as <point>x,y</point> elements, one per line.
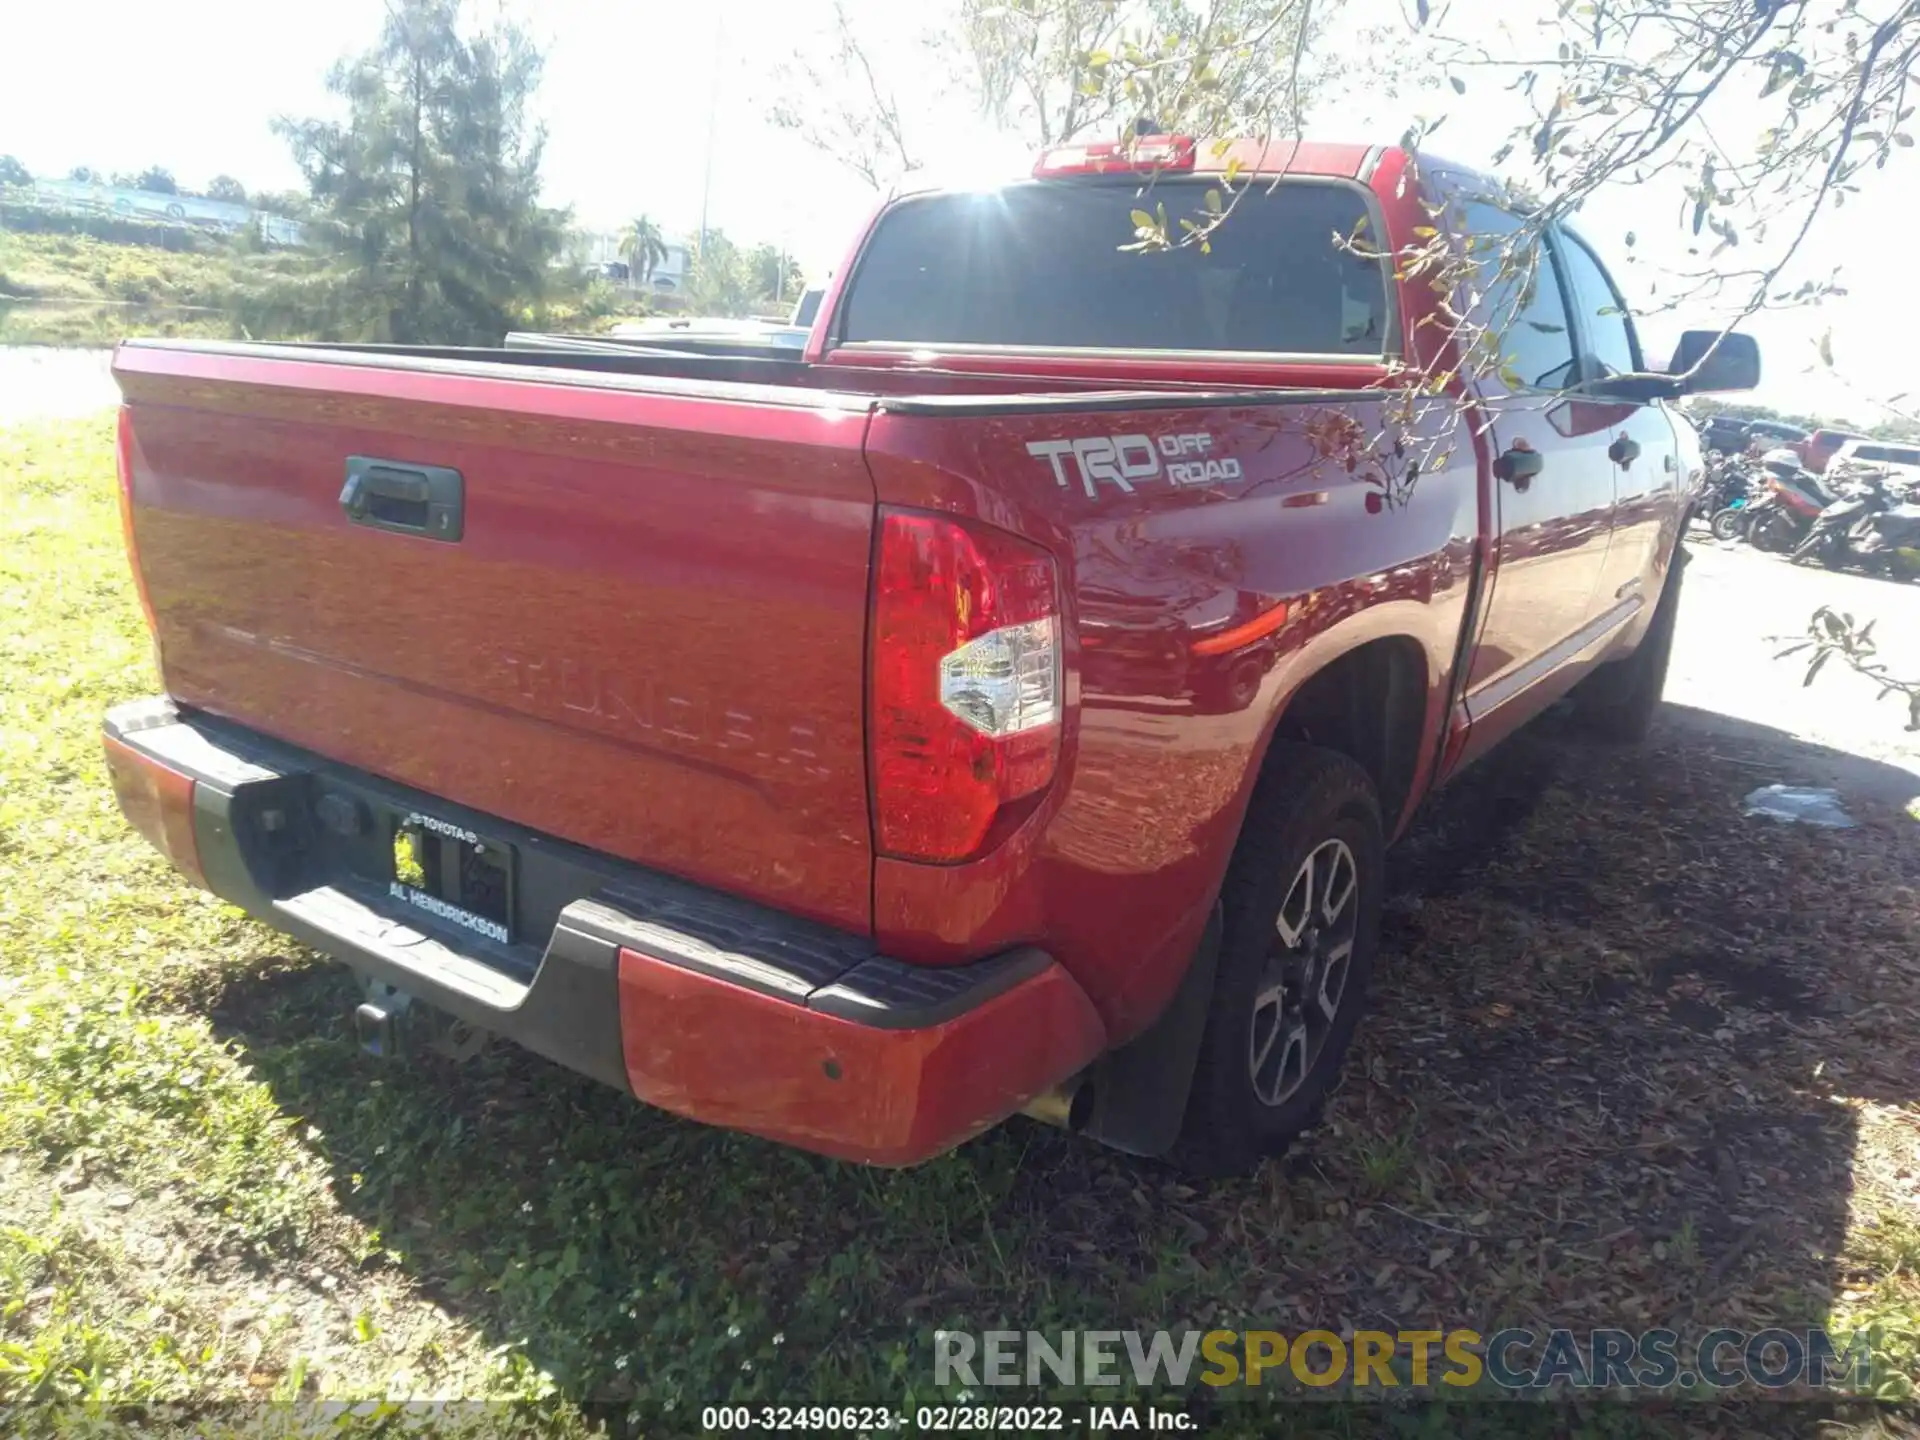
<point>1356,512</point>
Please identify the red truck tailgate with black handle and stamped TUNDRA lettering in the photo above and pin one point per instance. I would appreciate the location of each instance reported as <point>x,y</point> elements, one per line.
<point>646,638</point>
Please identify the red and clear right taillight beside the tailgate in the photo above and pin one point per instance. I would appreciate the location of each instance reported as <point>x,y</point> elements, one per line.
<point>967,683</point>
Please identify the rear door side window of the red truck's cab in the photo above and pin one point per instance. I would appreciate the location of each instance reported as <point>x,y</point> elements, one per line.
<point>1522,299</point>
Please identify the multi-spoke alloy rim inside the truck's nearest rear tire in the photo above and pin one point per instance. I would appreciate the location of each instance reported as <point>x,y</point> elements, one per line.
<point>1307,972</point>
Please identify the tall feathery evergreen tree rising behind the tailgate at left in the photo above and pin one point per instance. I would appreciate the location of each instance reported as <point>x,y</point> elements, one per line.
<point>427,197</point>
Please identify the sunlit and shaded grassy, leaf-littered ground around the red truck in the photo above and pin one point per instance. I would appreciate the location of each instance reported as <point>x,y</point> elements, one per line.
<point>1575,1107</point>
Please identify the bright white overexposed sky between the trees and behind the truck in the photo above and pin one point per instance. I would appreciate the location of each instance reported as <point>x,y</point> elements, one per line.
<point>663,110</point>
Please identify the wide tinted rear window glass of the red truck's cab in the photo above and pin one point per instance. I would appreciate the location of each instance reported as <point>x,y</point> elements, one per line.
<point>1042,264</point>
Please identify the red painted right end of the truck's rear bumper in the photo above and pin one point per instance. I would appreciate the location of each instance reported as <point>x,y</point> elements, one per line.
<point>890,1097</point>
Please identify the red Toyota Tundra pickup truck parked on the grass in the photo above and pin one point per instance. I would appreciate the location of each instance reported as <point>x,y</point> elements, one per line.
<point>1003,706</point>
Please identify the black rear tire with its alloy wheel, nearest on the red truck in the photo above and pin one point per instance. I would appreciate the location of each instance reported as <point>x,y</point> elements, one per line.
<point>1310,805</point>
